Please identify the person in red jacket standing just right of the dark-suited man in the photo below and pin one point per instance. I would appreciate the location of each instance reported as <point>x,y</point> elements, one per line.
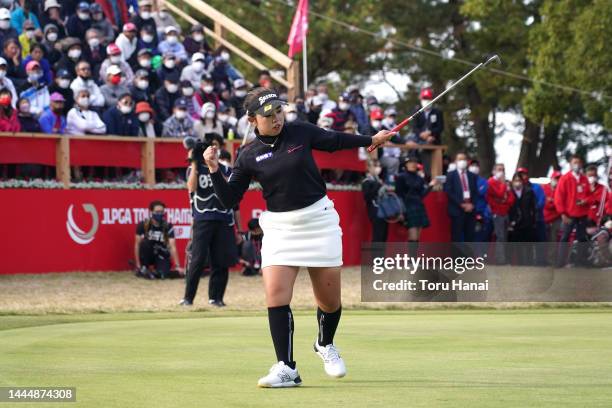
<point>500,200</point>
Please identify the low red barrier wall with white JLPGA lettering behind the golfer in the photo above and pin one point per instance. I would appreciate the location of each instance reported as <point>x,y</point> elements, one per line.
<point>93,230</point>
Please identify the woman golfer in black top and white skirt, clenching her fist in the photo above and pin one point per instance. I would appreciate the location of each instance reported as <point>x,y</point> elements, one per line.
<point>301,226</point>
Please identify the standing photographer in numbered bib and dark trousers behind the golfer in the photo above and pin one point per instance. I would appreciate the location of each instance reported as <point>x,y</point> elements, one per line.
<point>212,230</point>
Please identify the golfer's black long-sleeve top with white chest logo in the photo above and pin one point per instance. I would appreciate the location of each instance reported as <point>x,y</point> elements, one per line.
<point>287,172</point>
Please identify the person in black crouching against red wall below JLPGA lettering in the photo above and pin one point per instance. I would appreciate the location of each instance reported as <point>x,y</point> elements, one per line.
<point>155,244</point>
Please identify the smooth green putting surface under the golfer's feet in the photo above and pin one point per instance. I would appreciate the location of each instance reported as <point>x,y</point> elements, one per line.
<point>512,358</point>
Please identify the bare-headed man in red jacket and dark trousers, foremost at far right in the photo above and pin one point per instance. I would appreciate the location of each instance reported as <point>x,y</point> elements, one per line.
<point>572,202</point>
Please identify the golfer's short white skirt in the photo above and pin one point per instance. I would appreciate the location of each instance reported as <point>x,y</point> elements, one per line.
<point>310,236</point>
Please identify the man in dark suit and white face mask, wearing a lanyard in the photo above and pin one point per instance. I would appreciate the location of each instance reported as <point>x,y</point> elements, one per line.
<point>461,188</point>
